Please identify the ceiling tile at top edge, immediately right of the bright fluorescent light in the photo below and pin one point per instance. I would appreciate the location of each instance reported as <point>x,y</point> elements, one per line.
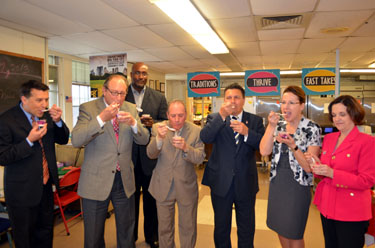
<point>215,9</point>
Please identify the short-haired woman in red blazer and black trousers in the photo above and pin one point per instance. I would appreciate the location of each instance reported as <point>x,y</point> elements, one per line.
<point>347,171</point>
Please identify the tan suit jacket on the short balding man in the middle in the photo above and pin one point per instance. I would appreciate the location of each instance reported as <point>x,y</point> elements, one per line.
<point>176,166</point>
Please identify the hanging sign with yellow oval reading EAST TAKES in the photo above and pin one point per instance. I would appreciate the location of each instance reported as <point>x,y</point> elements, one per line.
<point>318,81</point>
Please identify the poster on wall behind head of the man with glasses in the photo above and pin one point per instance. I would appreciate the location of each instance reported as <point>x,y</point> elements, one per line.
<point>102,66</point>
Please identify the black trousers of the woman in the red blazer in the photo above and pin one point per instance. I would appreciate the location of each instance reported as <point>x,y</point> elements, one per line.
<point>344,234</point>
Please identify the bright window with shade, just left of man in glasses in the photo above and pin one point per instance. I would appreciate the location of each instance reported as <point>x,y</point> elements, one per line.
<point>80,86</point>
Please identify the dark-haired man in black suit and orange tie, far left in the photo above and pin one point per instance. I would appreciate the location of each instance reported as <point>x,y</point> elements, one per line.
<point>27,150</point>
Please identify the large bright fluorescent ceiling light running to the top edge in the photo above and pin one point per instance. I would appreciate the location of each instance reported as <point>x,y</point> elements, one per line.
<point>187,16</point>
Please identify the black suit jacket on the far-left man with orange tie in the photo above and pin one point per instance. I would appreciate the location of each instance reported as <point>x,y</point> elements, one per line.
<point>23,174</point>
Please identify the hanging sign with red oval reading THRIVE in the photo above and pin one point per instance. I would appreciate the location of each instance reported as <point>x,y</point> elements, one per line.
<point>262,83</point>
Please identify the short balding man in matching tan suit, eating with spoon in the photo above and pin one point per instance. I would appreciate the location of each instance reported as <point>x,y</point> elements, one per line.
<point>174,178</point>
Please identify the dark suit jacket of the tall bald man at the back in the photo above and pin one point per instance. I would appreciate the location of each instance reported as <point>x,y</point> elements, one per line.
<point>154,104</point>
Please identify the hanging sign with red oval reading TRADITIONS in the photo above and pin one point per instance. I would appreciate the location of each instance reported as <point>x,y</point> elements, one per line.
<point>203,84</point>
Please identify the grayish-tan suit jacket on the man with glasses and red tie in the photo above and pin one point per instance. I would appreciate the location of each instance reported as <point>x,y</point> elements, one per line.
<point>102,151</point>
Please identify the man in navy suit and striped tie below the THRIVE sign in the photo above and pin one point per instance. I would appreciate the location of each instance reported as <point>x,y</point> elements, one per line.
<point>231,171</point>
